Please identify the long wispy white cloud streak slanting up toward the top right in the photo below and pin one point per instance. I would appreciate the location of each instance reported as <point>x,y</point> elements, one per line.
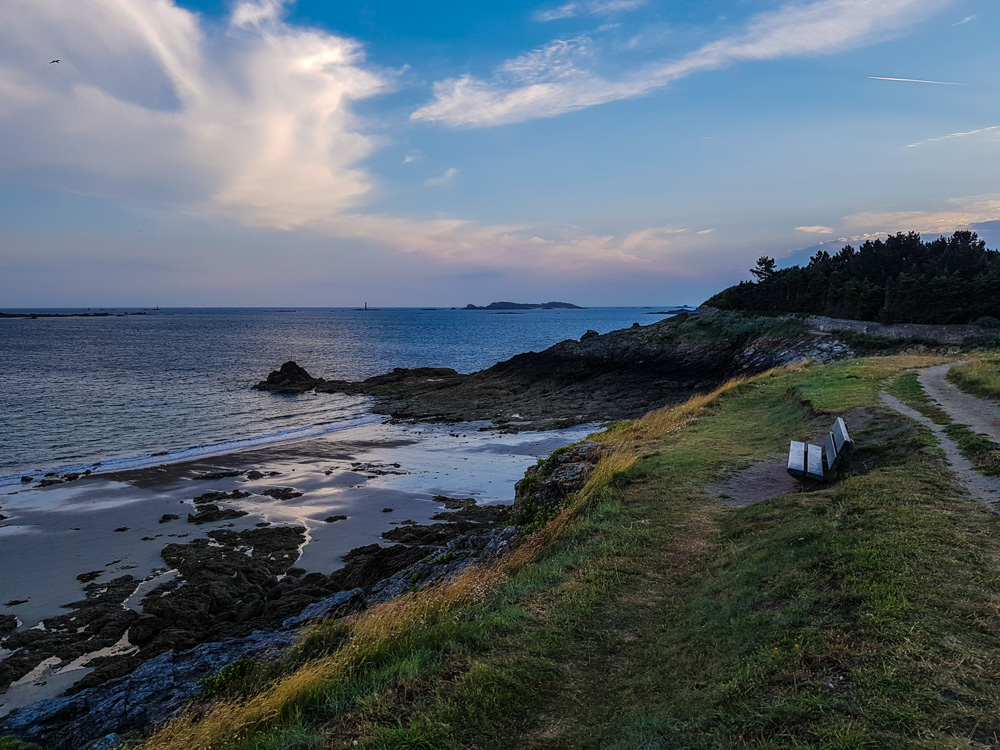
<point>801,28</point>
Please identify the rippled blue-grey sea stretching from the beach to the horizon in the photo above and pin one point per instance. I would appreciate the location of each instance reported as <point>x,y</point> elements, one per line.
<point>117,390</point>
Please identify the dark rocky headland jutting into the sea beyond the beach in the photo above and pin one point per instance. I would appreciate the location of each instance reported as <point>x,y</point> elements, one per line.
<point>602,377</point>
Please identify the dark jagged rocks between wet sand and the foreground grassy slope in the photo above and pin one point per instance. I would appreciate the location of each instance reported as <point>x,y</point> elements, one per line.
<point>242,597</point>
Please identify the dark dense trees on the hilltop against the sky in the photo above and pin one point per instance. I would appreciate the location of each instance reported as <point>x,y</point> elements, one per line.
<point>901,279</point>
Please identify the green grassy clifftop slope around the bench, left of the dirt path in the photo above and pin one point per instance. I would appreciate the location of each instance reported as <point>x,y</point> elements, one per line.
<point>861,615</point>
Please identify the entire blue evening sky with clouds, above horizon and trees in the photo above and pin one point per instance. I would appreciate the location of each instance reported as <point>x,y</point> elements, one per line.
<point>601,152</point>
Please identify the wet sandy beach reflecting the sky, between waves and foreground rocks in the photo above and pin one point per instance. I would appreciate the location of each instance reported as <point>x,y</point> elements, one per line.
<point>70,542</point>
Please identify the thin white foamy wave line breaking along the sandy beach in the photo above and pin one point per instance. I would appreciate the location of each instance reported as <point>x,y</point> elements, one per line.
<point>196,451</point>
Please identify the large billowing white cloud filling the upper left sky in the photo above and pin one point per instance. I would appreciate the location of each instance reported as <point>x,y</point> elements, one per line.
<point>253,122</point>
